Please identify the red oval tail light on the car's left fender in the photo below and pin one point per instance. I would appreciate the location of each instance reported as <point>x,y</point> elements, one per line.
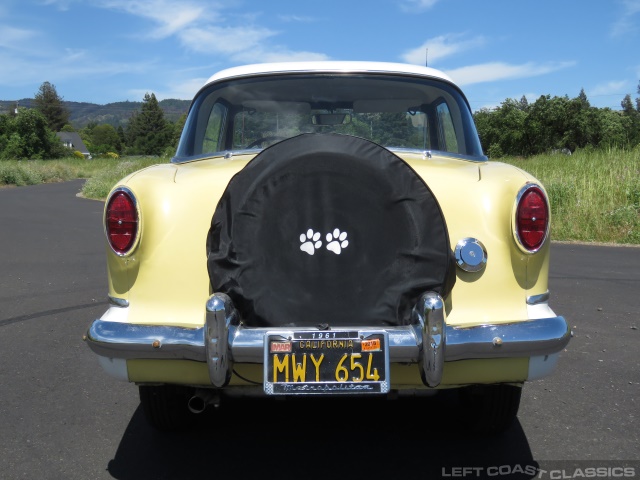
<point>121,221</point>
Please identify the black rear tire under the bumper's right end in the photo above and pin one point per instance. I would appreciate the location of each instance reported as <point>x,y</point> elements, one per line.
<point>490,409</point>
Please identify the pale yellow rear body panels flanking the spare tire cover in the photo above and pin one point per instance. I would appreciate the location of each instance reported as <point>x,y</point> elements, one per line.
<point>174,236</point>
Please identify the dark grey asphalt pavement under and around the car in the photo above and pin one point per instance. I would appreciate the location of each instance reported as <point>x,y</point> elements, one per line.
<point>61,417</point>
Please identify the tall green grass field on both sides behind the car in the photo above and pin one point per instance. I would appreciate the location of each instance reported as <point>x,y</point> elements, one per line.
<point>594,195</point>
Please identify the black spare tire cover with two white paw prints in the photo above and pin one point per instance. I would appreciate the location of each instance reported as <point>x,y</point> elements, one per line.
<point>328,229</point>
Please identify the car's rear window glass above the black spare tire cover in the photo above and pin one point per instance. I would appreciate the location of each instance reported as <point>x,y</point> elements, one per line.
<point>393,111</point>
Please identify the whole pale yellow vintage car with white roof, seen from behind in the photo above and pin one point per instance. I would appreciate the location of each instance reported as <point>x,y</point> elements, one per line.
<point>328,229</point>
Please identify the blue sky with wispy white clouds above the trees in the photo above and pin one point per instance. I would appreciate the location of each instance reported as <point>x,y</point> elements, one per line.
<point>103,51</point>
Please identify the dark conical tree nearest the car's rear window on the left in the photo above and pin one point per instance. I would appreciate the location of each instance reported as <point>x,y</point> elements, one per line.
<point>148,133</point>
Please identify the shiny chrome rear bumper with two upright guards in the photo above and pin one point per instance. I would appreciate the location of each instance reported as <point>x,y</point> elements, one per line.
<point>428,341</point>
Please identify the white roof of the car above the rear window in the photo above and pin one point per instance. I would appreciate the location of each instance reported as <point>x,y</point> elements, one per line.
<point>328,66</point>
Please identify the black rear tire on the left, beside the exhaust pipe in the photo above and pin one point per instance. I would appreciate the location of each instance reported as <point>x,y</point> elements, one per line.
<point>165,406</point>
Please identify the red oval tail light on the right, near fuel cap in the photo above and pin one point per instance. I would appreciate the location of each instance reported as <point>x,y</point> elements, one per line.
<point>532,218</point>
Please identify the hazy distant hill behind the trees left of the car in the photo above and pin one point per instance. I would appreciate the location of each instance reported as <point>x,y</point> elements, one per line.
<point>116,114</point>
